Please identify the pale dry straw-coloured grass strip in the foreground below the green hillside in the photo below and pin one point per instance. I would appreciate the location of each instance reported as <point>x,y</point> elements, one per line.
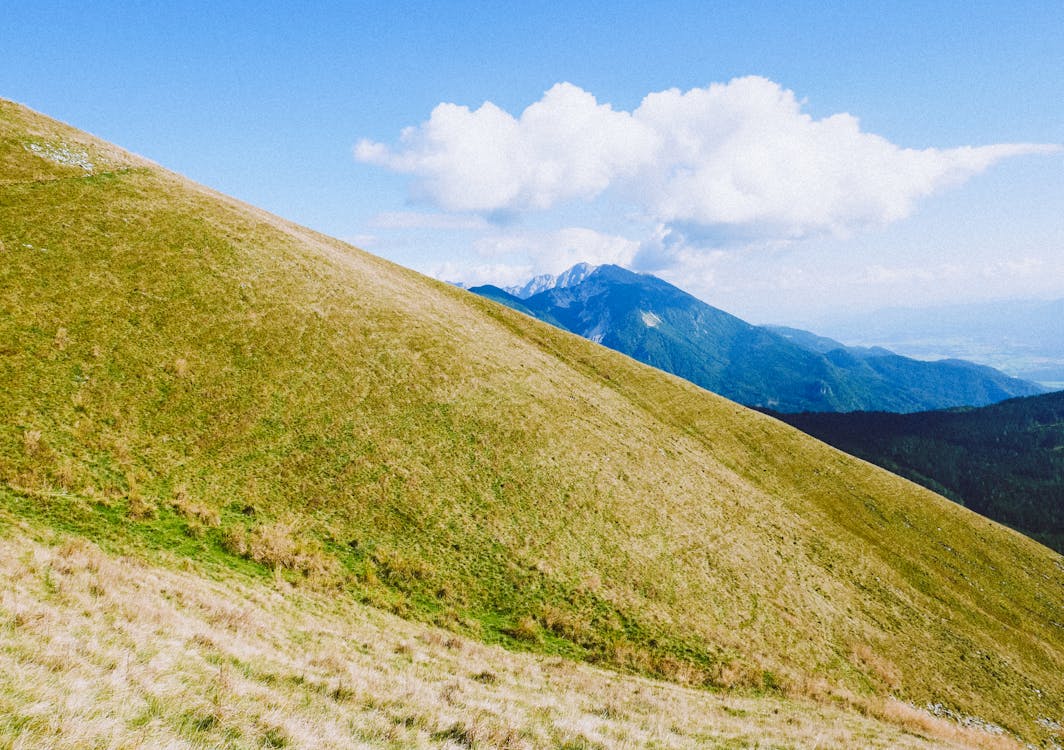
<point>97,652</point>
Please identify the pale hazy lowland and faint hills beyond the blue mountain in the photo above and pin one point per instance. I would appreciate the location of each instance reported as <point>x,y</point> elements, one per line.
<point>1022,338</point>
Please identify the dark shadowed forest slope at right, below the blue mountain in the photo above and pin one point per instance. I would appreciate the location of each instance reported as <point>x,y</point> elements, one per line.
<point>1005,461</point>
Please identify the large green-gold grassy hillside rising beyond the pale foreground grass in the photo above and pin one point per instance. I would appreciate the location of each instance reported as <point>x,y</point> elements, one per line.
<point>184,373</point>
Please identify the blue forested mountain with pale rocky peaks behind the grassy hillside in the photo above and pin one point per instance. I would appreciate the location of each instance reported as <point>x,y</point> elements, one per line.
<point>778,369</point>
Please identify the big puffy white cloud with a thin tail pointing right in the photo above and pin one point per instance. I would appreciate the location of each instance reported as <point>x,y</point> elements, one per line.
<point>741,158</point>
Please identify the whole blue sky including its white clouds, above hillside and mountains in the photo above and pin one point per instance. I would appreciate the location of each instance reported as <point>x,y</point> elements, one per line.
<point>778,162</point>
